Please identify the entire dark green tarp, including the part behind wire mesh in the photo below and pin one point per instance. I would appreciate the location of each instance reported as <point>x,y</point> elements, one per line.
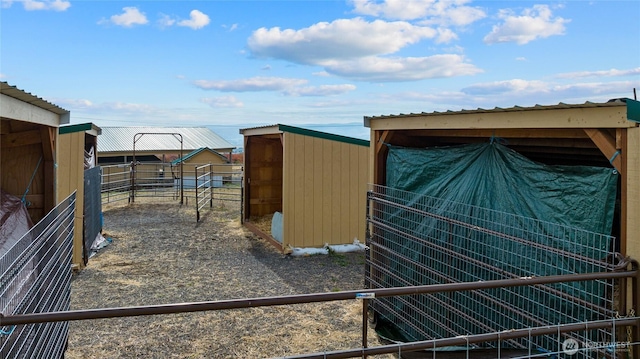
<point>493,214</point>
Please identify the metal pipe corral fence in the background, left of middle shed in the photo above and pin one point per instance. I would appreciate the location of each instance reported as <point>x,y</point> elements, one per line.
<point>189,184</point>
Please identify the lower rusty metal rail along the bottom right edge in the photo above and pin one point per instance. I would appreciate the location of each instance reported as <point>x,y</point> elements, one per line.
<point>471,339</point>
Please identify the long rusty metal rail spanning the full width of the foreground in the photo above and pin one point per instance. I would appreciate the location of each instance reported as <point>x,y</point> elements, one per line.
<point>299,299</point>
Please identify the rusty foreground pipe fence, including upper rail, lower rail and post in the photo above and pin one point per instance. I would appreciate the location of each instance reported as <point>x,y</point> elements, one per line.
<point>622,347</point>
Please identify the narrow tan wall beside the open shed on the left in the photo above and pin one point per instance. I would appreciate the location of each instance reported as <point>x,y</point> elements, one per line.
<point>71,178</point>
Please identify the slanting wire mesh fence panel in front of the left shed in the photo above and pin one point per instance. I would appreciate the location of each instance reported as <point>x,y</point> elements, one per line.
<point>35,277</point>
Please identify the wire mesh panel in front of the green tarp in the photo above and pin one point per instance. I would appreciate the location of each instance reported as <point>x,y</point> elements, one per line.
<point>417,240</point>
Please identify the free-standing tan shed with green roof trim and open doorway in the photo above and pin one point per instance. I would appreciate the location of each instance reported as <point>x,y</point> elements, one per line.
<point>311,186</point>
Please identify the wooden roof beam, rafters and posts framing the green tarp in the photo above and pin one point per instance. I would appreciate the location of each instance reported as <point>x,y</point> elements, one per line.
<point>593,134</point>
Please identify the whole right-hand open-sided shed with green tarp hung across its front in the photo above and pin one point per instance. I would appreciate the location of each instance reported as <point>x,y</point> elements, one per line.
<point>489,194</point>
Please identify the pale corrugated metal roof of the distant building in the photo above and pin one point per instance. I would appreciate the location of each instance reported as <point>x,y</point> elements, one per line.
<point>158,139</point>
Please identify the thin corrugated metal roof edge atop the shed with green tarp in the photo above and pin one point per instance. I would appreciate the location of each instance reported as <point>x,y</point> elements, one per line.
<point>561,105</point>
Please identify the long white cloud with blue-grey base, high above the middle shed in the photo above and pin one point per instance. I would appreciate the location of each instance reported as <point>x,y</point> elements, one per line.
<point>340,39</point>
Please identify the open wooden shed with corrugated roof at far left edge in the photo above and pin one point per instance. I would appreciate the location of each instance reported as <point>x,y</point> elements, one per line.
<point>29,148</point>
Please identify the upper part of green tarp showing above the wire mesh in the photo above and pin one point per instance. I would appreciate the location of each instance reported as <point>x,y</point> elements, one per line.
<point>491,175</point>
